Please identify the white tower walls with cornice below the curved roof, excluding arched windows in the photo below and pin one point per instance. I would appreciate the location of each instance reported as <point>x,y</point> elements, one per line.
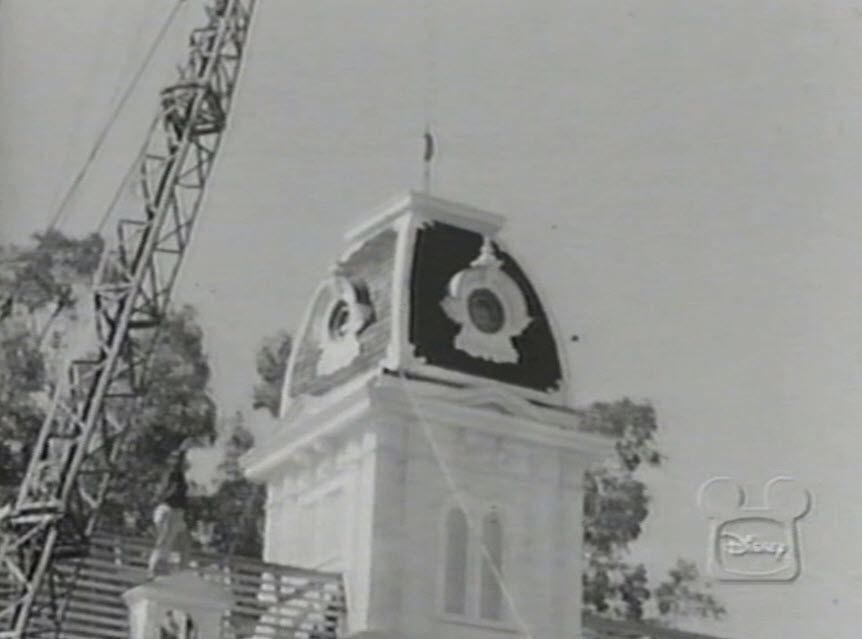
<point>368,495</point>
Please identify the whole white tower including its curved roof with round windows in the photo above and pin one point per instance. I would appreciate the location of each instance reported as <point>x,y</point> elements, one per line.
<point>425,448</point>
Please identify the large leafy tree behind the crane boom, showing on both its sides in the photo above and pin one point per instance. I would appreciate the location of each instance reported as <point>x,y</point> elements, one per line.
<point>40,288</point>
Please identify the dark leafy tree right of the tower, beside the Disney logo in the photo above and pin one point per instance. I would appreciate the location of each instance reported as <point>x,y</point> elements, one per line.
<point>616,503</point>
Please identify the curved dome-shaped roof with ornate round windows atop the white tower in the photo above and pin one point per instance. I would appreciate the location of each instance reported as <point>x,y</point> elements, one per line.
<point>427,290</point>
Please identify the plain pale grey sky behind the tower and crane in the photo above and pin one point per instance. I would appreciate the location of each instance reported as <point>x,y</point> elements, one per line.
<point>680,178</point>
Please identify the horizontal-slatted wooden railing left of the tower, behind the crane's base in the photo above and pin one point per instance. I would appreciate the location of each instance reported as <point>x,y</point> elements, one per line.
<point>270,601</point>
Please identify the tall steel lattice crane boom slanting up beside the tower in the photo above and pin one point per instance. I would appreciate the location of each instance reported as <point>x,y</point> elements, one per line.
<point>81,440</point>
